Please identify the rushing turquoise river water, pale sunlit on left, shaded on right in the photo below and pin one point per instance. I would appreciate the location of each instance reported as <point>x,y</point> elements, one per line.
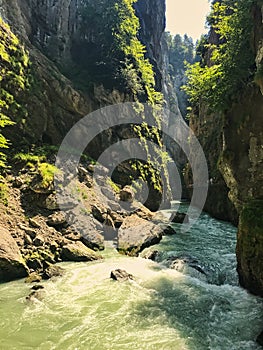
<point>162,309</point>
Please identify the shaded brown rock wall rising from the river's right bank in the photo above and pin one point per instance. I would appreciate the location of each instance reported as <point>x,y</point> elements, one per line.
<point>233,142</point>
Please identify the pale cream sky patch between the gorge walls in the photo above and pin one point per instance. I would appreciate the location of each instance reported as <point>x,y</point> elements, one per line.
<point>187,16</point>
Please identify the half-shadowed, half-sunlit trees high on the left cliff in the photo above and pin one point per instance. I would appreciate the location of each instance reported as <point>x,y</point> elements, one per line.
<point>114,52</point>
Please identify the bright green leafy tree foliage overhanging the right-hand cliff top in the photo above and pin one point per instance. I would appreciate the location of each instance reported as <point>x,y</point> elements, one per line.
<point>227,65</point>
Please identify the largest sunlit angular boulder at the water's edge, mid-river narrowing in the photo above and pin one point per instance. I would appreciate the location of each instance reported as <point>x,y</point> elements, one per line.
<point>136,234</point>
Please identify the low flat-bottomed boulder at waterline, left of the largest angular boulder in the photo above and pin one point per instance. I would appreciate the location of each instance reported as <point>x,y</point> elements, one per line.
<point>78,252</point>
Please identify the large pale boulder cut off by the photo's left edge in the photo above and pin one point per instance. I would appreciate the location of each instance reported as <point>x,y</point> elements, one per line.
<point>12,265</point>
